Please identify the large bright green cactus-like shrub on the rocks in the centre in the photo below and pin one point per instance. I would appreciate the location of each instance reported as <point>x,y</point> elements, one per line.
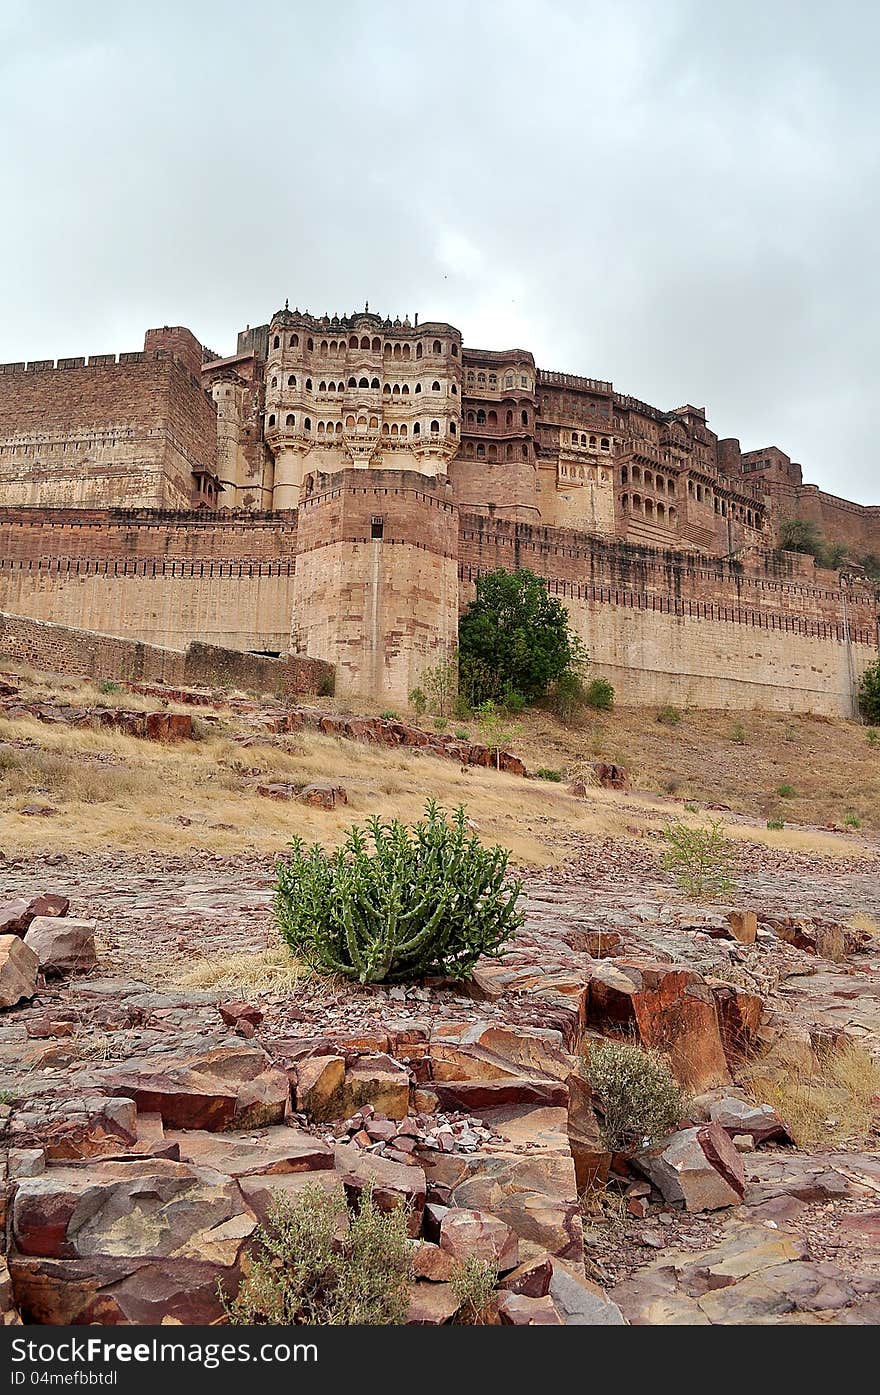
<point>427,900</point>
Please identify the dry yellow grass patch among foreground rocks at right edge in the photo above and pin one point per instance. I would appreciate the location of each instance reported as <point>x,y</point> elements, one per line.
<point>839,1106</point>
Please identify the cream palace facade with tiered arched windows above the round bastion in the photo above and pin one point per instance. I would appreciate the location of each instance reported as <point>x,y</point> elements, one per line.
<point>359,393</point>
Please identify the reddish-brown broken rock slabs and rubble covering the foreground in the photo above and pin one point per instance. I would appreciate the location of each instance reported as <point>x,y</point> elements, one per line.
<point>149,1129</point>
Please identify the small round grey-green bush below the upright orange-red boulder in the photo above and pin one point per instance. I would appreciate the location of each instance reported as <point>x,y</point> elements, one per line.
<point>638,1094</point>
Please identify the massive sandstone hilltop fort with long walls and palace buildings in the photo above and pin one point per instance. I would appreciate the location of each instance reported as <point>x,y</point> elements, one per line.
<point>333,490</point>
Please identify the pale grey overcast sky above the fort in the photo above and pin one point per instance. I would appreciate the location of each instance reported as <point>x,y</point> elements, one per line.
<point>677,195</point>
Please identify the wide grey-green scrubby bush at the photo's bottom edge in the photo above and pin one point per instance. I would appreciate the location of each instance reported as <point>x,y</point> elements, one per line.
<point>302,1274</point>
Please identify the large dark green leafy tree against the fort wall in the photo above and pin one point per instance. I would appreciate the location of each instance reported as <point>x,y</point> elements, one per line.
<point>515,638</point>
